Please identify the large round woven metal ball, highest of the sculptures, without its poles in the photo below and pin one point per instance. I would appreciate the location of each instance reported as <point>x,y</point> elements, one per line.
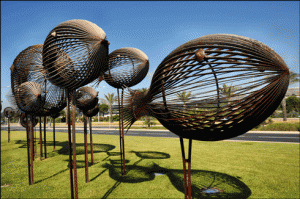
<point>75,53</point>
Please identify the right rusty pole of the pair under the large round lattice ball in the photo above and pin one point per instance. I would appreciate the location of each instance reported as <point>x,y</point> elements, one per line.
<point>74,148</point>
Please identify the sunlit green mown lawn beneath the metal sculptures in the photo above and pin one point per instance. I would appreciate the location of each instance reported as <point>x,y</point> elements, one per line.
<point>238,169</point>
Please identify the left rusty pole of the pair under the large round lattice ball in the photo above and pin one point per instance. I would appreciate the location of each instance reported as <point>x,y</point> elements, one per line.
<point>70,144</point>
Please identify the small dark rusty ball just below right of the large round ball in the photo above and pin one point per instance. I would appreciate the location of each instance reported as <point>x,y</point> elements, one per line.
<point>85,98</point>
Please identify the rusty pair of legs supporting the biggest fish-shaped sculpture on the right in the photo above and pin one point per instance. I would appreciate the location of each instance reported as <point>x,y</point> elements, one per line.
<point>187,174</point>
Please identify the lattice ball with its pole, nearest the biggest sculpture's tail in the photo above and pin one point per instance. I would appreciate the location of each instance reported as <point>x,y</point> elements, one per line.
<point>127,67</point>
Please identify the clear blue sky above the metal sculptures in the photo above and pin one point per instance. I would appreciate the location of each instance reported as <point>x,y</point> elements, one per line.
<point>154,27</point>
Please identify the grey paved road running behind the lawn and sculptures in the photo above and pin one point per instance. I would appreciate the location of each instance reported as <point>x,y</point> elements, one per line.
<point>263,136</point>
